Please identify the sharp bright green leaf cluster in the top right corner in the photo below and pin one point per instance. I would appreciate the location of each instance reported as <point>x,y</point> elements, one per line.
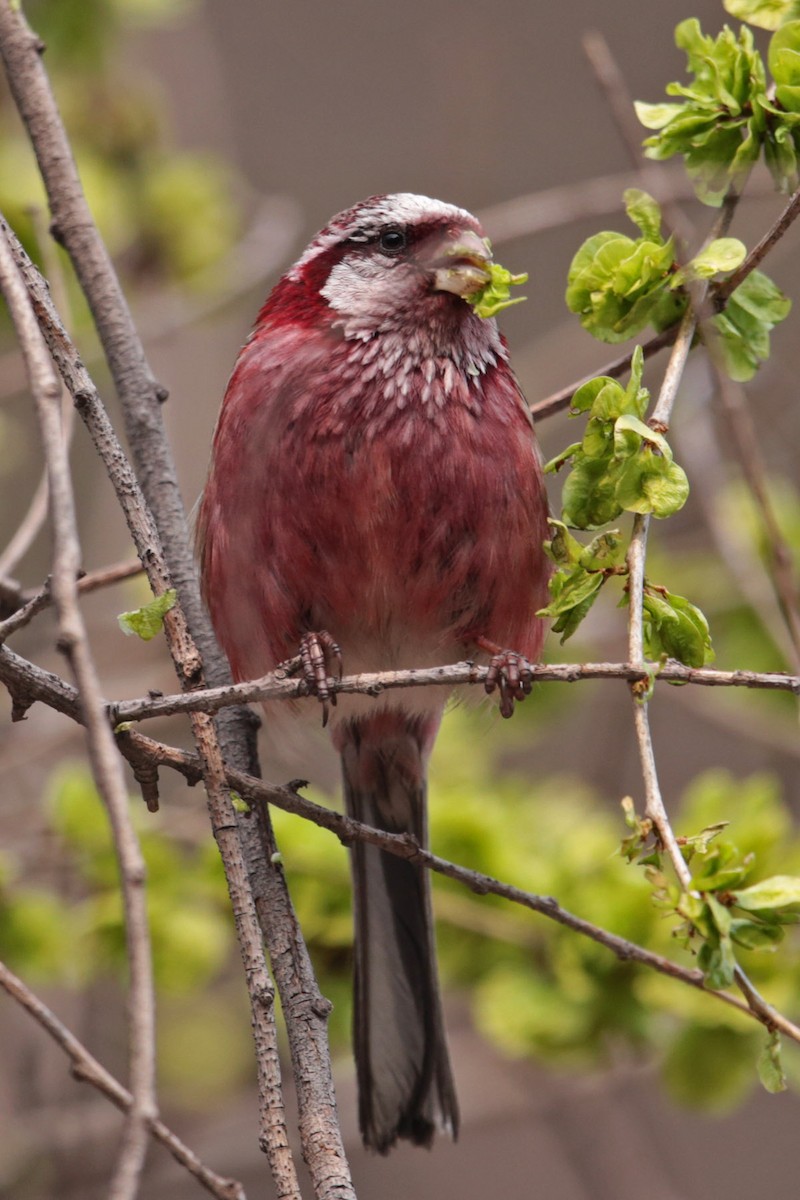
<point>727,116</point>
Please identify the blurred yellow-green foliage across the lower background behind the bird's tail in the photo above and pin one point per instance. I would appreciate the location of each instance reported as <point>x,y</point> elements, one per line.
<point>537,989</point>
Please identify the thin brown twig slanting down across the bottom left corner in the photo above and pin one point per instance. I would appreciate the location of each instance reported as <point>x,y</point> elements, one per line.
<point>87,1069</point>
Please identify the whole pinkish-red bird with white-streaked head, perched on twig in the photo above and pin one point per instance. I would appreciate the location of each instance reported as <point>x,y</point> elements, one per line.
<point>376,488</point>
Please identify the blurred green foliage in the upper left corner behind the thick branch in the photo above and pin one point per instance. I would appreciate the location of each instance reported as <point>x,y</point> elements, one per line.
<point>166,215</point>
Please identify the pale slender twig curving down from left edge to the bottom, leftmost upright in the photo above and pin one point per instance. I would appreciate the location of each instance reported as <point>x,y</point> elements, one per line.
<point>107,770</point>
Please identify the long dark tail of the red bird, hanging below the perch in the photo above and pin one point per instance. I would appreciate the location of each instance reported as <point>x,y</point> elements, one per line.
<point>406,1088</point>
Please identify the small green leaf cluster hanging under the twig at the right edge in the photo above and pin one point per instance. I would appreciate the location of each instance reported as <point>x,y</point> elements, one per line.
<point>744,328</point>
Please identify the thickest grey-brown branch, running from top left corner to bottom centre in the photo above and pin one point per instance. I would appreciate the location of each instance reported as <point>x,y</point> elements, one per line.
<point>141,399</point>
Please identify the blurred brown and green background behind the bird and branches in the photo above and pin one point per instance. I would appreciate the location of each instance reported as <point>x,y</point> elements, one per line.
<point>214,140</point>
